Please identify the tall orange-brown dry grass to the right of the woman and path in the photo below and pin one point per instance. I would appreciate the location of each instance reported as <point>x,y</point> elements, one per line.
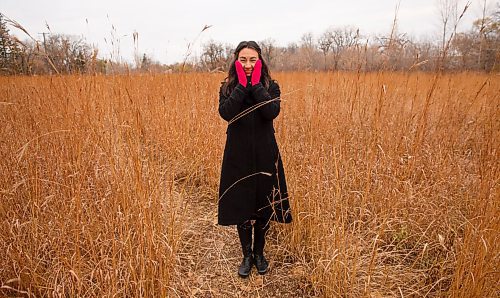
<point>395,183</point>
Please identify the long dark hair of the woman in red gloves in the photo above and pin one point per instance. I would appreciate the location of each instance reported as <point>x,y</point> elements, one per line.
<point>232,79</point>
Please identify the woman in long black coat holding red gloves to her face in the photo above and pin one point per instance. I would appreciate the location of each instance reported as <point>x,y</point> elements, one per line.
<point>252,186</point>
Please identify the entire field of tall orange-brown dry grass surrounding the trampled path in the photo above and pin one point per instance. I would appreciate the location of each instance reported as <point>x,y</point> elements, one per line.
<point>393,177</point>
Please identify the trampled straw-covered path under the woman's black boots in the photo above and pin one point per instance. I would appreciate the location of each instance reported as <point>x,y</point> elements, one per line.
<point>210,254</point>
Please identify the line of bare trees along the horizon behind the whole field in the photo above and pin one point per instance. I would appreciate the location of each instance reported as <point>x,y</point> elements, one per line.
<point>336,49</point>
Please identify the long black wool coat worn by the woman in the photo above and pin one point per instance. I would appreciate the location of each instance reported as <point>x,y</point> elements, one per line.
<point>252,182</point>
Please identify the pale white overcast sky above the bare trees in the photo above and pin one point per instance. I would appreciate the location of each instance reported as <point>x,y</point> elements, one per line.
<point>165,28</point>
